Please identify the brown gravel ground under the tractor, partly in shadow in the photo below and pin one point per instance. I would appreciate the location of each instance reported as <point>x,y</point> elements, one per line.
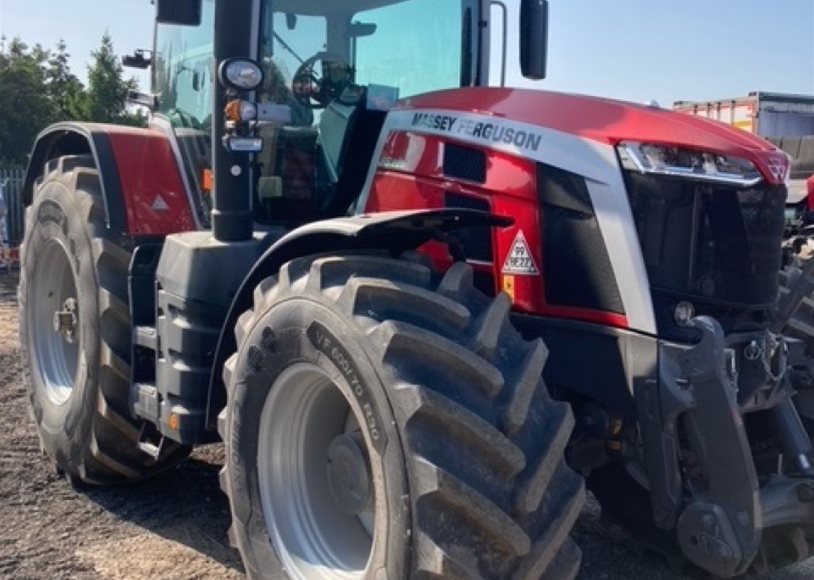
<point>174,526</point>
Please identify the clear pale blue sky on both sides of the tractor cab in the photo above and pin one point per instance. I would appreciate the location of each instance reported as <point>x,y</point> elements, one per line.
<point>636,50</point>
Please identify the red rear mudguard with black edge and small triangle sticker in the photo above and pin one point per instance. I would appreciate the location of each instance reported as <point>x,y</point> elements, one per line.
<point>144,193</point>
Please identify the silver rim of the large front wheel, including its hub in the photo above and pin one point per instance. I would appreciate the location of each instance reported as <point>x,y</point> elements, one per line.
<point>309,459</point>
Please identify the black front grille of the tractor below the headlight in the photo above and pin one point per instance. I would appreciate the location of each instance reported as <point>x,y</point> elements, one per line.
<point>716,246</point>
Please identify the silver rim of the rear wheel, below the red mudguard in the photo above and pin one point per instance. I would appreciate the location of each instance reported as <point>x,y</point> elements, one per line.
<point>54,329</point>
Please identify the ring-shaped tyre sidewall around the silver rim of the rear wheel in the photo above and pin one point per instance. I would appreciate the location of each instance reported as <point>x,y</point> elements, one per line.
<point>57,216</point>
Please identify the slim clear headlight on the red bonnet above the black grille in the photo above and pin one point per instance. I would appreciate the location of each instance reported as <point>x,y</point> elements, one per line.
<point>654,159</point>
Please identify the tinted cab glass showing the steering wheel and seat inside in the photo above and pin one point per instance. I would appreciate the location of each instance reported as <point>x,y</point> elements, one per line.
<point>338,67</point>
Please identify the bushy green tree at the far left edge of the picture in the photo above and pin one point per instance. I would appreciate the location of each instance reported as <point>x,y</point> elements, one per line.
<point>25,104</point>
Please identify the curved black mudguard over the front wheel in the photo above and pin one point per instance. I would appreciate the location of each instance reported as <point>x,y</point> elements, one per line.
<point>396,232</point>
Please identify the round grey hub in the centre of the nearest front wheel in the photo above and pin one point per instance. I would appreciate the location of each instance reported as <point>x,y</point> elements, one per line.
<point>349,477</point>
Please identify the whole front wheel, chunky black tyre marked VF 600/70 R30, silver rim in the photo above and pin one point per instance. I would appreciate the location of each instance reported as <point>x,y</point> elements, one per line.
<point>383,422</point>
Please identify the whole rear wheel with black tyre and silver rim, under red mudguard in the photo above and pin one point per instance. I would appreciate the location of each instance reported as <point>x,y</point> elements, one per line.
<point>75,332</point>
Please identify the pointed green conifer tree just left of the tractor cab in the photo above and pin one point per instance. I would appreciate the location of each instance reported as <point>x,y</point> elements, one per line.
<point>106,98</point>
